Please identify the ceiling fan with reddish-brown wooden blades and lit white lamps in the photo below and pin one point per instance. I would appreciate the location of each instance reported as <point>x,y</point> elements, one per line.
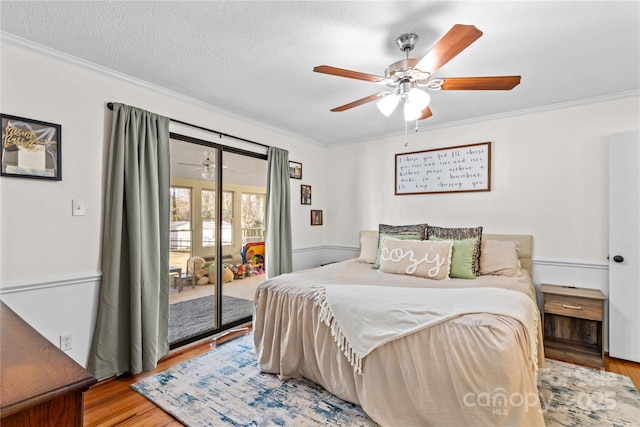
<point>406,78</point>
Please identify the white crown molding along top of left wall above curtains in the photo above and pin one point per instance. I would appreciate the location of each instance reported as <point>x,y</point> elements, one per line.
<point>73,60</point>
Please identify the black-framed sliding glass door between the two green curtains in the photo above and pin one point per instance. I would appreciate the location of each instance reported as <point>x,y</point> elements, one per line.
<point>217,237</point>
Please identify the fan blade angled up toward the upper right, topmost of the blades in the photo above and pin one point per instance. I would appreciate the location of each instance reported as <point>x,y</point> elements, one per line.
<point>455,41</point>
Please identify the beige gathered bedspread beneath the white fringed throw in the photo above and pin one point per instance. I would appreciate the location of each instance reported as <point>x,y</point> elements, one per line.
<point>469,370</point>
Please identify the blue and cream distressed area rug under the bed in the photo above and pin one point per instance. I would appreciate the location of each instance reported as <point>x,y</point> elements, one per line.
<point>225,388</point>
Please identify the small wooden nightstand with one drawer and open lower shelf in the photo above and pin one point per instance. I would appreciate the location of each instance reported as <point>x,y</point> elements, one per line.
<point>572,321</point>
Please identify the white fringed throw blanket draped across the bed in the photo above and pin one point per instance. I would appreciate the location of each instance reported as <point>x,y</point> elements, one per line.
<point>363,318</point>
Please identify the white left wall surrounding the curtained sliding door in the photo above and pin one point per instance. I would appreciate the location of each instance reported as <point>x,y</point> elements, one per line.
<point>49,259</point>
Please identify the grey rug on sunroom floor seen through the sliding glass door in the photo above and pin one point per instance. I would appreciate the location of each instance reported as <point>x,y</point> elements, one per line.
<point>190,318</point>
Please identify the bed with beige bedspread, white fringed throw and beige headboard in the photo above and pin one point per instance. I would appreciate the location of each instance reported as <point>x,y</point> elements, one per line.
<point>475,367</point>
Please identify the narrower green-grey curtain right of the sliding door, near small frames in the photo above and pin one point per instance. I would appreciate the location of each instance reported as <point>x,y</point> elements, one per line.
<point>278,251</point>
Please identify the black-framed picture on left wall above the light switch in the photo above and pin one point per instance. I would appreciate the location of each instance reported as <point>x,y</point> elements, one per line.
<point>30,148</point>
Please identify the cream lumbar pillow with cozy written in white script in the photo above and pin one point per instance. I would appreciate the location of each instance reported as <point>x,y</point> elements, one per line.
<point>421,258</point>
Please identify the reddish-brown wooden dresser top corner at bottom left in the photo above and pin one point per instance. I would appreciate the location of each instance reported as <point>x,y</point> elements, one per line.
<point>39,384</point>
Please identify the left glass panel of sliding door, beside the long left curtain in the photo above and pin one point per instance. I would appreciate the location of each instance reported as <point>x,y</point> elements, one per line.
<point>194,207</point>
